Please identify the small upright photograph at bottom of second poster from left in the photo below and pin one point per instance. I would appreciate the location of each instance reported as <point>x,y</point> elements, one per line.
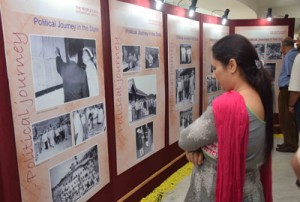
<point>144,139</point>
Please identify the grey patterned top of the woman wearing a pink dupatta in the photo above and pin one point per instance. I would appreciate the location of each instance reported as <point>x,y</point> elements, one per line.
<point>202,134</point>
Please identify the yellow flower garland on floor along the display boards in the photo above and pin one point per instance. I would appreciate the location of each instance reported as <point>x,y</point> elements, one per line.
<point>169,184</point>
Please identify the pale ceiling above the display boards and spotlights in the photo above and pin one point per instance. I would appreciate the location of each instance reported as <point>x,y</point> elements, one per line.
<point>246,9</point>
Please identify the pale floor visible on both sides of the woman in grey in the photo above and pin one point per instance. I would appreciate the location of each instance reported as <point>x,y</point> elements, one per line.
<point>284,188</point>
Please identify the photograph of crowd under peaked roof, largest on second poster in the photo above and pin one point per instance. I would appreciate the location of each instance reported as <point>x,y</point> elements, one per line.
<point>141,97</point>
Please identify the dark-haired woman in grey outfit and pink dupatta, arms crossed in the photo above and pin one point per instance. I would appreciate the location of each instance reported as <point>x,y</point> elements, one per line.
<point>235,132</point>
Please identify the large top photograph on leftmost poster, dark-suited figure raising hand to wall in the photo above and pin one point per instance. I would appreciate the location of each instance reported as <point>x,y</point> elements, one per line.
<point>64,70</point>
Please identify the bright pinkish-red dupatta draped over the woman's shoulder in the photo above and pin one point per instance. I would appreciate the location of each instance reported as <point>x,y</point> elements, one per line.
<point>232,125</point>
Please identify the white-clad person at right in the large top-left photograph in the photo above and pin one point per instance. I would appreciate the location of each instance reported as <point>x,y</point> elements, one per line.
<point>91,72</point>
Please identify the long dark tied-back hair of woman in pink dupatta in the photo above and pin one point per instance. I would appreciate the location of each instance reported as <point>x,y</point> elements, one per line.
<point>239,48</point>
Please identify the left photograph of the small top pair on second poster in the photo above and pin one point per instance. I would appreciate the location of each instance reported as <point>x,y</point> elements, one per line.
<point>131,58</point>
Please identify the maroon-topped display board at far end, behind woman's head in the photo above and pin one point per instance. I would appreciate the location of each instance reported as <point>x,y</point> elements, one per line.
<point>266,37</point>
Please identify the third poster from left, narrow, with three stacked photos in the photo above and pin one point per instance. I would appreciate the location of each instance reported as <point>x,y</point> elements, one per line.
<point>183,76</point>
